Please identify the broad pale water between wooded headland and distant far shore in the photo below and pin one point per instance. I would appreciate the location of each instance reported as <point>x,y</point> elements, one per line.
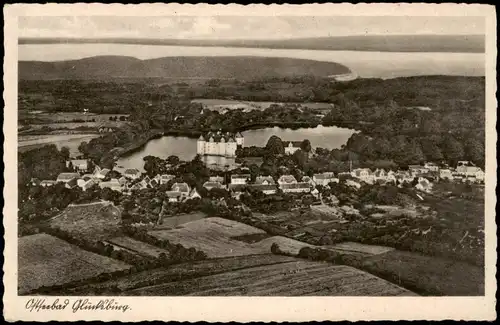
<point>363,64</point>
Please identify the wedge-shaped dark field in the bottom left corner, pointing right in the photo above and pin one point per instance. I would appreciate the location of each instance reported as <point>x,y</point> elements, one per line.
<point>45,260</point>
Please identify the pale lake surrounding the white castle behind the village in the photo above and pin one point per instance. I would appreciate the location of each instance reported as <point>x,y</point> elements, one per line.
<point>185,148</point>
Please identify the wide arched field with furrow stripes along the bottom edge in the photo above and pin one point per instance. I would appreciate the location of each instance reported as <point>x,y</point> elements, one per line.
<point>258,275</point>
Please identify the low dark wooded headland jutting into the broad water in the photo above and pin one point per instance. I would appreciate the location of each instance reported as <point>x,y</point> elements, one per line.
<point>108,67</point>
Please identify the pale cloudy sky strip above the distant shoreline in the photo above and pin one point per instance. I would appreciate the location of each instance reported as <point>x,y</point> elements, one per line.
<point>243,27</point>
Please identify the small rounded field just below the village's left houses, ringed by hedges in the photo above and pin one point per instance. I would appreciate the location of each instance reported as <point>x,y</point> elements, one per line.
<point>93,221</point>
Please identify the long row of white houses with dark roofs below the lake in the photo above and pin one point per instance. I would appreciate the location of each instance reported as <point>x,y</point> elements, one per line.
<point>126,181</point>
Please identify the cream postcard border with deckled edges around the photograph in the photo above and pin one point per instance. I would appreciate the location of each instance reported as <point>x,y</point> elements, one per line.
<point>257,308</point>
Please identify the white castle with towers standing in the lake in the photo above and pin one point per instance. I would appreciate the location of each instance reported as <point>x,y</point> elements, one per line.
<point>219,144</point>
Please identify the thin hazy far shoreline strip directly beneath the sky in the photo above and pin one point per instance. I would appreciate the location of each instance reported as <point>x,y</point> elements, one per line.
<point>384,43</point>
